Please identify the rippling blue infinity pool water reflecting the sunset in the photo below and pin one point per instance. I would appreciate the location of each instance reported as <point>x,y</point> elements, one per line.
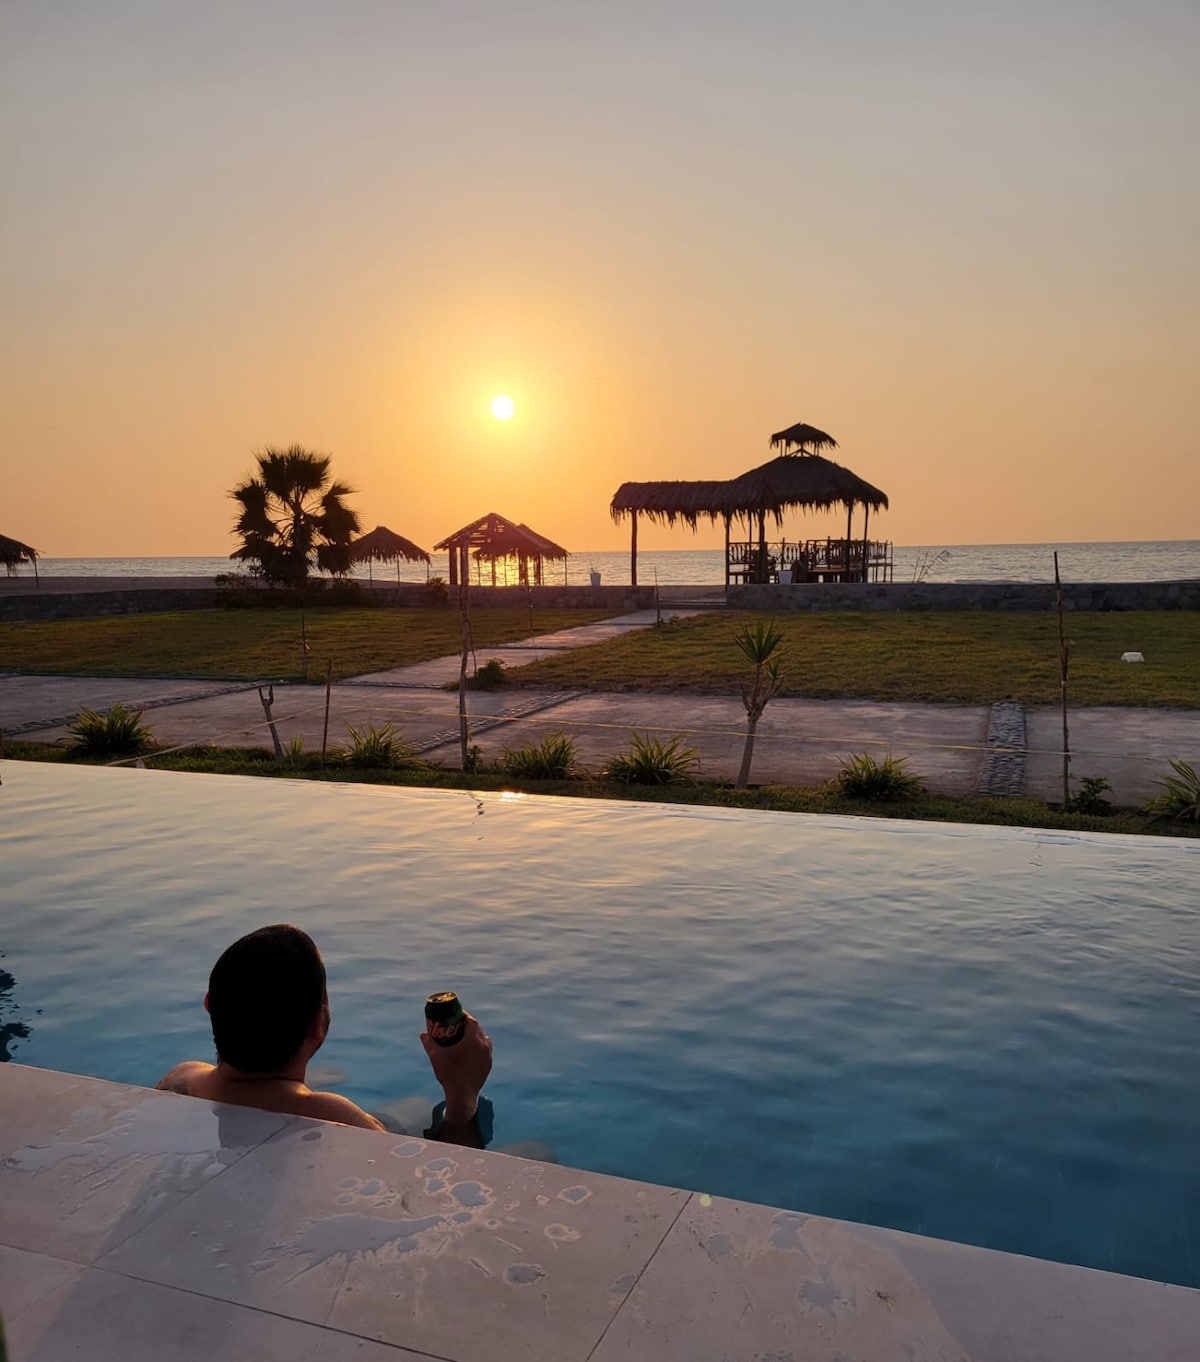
<point>983,1034</point>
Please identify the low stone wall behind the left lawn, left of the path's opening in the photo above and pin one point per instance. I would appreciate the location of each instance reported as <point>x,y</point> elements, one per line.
<point>78,605</point>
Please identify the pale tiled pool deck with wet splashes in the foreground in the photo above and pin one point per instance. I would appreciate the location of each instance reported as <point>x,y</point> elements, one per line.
<point>138,1226</point>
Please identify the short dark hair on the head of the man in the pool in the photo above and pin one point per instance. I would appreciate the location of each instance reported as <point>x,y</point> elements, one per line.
<point>264,994</point>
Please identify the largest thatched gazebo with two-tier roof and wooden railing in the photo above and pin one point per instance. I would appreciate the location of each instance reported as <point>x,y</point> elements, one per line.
<point>800,479</point>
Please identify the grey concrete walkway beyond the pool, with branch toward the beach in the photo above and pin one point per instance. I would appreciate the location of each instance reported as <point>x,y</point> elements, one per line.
<point>800,742</point>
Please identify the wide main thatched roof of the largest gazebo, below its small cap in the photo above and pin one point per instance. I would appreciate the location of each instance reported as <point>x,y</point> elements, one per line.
<point>789,481</point>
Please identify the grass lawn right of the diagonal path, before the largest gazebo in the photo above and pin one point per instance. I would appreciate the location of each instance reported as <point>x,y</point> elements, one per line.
<point>969,657</point>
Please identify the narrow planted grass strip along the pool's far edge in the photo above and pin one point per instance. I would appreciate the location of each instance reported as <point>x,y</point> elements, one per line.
<point>1018,812</point>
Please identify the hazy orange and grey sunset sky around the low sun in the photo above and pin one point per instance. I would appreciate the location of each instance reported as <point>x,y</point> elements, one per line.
<point>960,236</point>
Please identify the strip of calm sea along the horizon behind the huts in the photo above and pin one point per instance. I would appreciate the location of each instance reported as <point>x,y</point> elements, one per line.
<point>1118,562</point>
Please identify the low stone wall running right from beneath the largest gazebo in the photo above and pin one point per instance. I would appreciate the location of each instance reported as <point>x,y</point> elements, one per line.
<point>968,596</point>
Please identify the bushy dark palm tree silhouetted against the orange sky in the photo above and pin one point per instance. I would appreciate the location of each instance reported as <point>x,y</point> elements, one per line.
<point>294,518</point>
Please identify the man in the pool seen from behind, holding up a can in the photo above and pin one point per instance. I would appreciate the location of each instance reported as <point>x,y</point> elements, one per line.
<point>272,1014</point>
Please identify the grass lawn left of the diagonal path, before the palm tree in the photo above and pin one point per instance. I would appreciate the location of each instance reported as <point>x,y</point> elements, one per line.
<point>251,645</point>
